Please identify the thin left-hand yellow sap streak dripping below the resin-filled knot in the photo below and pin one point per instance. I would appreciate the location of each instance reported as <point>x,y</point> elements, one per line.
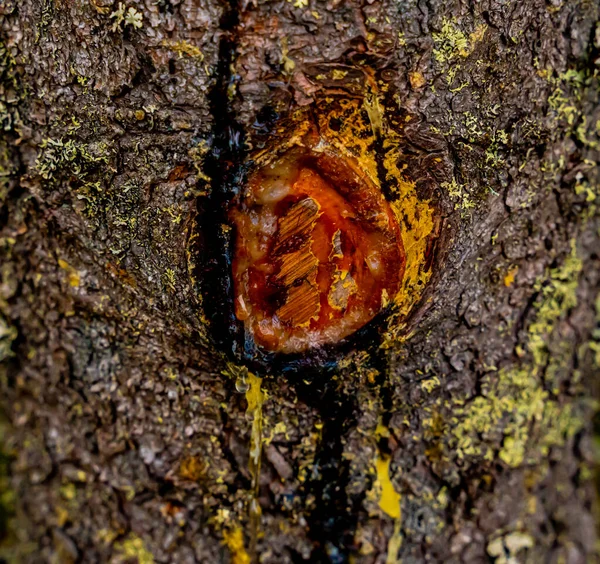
<point>255,397</point>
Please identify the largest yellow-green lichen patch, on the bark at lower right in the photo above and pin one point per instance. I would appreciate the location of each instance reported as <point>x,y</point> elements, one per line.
<point>514,409</point>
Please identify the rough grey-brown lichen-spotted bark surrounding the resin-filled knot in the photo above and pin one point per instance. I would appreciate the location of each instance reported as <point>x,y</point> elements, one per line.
<point>124,436</point>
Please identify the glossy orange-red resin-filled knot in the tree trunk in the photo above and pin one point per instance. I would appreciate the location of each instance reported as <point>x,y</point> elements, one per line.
<point>318,251</point>
